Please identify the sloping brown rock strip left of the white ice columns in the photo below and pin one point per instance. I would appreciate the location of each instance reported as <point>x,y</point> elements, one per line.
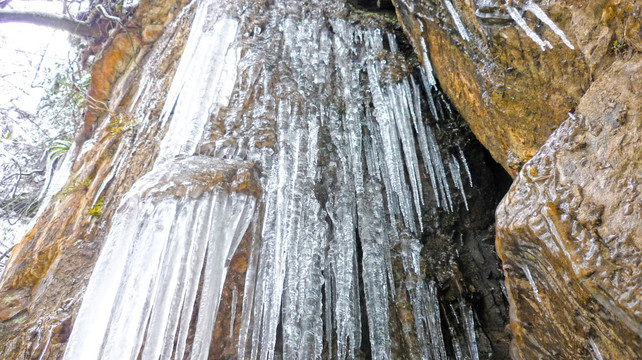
<point>42,288</point>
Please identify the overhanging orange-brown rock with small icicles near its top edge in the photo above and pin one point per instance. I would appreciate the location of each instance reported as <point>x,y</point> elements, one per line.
<point>512,93</point>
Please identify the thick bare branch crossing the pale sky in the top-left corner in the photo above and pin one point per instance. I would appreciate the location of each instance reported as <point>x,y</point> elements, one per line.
<point>75,27</point>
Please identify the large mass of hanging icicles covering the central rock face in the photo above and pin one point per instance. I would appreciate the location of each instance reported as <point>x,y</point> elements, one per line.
<point>343,148</point>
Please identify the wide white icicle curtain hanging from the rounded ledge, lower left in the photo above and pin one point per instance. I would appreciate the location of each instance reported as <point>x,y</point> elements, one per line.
<point>137,302</point>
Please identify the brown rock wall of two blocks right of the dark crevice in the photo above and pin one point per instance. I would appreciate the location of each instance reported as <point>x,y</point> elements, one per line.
<point>569,228</point>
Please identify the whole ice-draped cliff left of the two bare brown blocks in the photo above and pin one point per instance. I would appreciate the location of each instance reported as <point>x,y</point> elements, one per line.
<point>322,109</point>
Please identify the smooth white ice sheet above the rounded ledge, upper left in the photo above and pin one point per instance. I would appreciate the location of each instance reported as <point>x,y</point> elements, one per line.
<point>210,49</point>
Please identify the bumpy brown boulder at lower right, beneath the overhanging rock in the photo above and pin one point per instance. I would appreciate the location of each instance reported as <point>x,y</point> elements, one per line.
<point>570,230</point>
